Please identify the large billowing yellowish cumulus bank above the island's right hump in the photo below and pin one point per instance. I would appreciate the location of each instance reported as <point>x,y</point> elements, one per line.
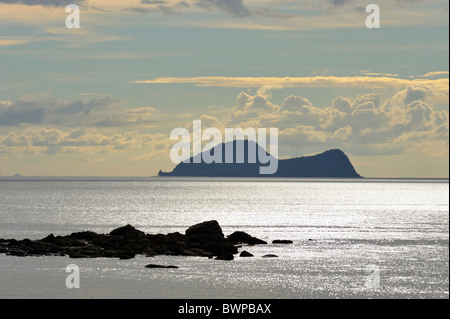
<point>364,125</point>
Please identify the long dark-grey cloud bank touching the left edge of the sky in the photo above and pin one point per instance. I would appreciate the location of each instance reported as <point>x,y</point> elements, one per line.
<point>96,112</point>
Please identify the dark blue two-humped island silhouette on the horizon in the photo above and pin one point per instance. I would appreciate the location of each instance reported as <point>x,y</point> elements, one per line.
<point>329,164</point>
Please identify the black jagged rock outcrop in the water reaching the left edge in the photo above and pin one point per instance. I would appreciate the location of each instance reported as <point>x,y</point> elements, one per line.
<point>202,240</point>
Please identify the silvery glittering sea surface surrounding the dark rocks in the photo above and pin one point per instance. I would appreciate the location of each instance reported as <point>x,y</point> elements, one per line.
<point>352,238</point>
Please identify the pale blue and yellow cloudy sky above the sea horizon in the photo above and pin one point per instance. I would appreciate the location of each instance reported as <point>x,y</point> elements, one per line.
<point>102,99</point>
